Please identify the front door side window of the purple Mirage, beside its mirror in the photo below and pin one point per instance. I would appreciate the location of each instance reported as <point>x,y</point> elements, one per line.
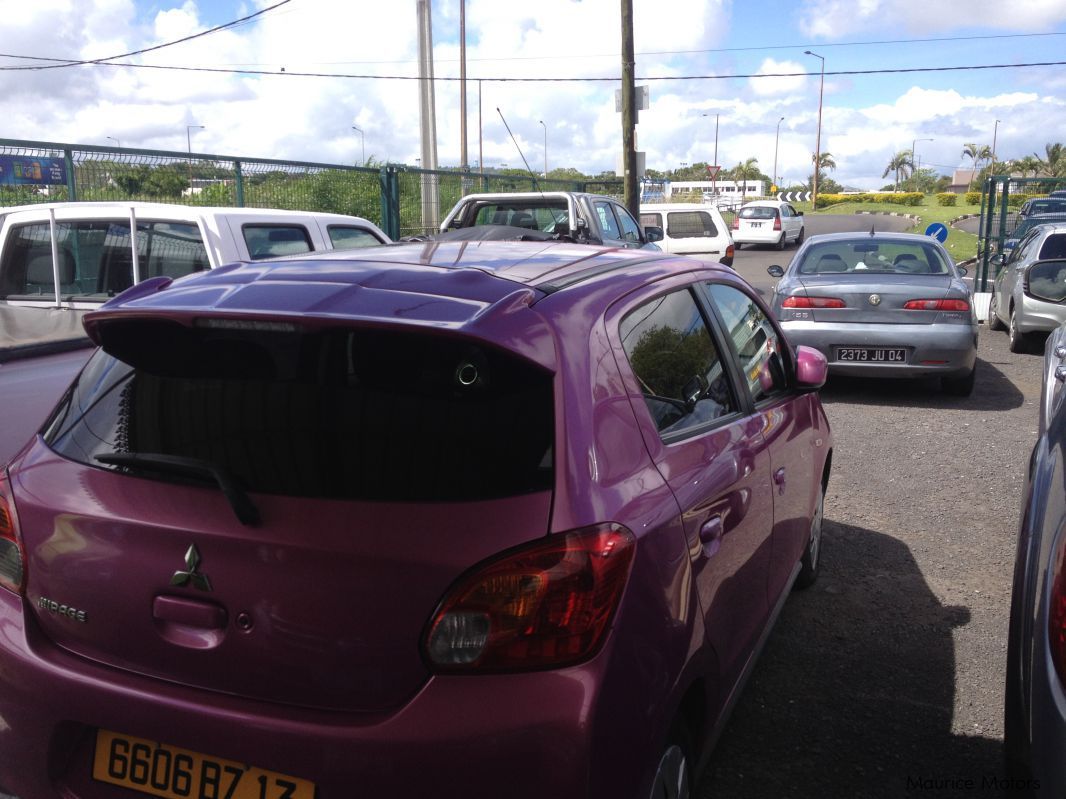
<point>760,350</point>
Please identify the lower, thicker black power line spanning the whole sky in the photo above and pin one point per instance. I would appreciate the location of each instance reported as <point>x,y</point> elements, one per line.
<point>285,74</point>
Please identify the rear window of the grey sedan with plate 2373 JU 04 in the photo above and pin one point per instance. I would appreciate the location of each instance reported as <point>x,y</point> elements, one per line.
<point>866,256</point>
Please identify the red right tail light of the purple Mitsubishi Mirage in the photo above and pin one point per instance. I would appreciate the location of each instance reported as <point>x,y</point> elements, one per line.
<point>541,607</point>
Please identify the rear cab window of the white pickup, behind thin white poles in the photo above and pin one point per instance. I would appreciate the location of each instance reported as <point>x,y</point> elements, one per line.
<point>96,258</point>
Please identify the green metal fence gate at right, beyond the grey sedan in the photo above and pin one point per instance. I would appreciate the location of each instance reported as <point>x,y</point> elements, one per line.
<point>1002,203</point>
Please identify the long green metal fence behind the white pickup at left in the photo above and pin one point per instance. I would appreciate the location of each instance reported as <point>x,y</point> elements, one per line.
<point>401,200</point>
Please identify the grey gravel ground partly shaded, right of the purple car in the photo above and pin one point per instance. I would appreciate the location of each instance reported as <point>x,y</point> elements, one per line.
<point>886,678</point>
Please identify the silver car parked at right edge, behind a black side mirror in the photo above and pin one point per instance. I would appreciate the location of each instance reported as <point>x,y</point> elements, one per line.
<point>1029,292</point>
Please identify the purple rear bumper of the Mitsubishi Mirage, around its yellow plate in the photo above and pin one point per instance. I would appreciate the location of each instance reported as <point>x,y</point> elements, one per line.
<point>521,736</point>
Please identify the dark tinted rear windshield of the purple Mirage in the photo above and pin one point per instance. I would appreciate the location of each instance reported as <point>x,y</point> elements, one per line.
<point>336,414</point>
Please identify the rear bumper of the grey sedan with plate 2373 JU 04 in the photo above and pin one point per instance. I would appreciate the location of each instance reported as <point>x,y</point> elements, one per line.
<point>945,350</point>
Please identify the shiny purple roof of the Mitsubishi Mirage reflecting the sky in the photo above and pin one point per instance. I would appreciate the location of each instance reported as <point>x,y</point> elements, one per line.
<point>445,285</point>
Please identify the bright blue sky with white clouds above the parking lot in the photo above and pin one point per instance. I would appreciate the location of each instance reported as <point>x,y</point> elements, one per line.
<point>701,60</point>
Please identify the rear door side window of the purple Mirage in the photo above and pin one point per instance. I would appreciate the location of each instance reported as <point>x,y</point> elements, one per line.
<point>676,363</point>
